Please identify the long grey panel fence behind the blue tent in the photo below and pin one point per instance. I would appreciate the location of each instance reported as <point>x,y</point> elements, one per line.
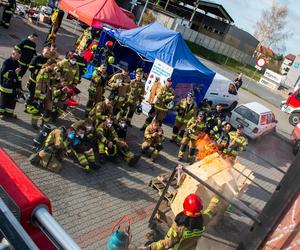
<point>214,45</point>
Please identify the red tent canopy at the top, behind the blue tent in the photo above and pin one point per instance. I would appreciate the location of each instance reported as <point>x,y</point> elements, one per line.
<point>96,12</point>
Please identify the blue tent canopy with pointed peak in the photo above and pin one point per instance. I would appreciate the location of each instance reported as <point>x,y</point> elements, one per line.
<point>155,41</point>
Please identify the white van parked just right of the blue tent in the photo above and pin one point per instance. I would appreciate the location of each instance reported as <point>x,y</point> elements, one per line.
<point>222,90</point>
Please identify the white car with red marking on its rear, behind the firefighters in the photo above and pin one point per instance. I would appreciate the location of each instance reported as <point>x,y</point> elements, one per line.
<point>256,118</point>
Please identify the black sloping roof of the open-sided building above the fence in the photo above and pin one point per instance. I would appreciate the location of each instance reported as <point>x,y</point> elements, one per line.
<point>210,7</point>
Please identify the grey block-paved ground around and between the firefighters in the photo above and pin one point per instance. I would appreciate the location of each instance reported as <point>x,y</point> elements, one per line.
<point>89,205</point>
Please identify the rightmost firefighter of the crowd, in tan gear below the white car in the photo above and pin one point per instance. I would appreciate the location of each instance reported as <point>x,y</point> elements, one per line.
<point>238,142</point>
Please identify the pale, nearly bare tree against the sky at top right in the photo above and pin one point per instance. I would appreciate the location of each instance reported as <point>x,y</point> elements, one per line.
<point>270,29</point>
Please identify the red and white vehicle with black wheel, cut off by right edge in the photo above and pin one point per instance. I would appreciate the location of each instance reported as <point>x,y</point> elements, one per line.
<point>292,106</point>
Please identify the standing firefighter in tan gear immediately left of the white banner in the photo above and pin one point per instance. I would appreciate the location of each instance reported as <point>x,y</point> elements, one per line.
<point>136,95</point>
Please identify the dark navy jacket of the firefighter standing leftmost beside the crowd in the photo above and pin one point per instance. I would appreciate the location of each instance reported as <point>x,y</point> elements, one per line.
<point>9,81</point>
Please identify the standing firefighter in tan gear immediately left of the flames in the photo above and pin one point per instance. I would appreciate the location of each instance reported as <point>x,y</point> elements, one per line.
<point>195,128</point>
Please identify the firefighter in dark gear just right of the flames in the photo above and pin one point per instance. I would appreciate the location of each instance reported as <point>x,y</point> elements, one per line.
<point>220,136</point>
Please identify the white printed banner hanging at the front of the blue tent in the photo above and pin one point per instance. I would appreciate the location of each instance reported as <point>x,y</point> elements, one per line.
<point>161,70</point>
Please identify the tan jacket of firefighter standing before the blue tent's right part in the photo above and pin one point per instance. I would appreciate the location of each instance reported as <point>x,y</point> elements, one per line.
<point>185,111</point>
